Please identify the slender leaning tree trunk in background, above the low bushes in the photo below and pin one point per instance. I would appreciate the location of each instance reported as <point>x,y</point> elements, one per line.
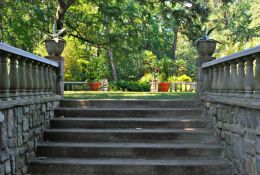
<point>111,57</point>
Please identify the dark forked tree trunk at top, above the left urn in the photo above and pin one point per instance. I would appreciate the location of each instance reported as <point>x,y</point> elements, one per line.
<point>62,8</point>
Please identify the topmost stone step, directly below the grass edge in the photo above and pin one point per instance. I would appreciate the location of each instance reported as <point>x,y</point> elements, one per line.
<point>126,103</point>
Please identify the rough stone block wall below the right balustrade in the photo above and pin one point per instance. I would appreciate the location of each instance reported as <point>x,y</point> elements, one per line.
<point>237,123</point>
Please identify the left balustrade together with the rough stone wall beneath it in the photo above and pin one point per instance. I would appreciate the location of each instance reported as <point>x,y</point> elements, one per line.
<point>30,90</point>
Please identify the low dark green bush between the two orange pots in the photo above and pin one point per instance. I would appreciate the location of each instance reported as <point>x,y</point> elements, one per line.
<point>130,86</point>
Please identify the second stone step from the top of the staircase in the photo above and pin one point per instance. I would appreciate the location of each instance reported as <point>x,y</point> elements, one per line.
<point>129,112</point>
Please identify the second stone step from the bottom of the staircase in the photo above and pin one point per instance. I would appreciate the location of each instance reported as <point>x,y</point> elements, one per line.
<point>128,150</point>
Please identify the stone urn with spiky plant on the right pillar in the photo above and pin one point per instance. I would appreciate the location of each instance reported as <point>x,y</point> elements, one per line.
<point>206,46</point>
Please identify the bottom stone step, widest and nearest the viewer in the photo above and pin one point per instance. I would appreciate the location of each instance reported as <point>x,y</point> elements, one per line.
<point>198,166</point>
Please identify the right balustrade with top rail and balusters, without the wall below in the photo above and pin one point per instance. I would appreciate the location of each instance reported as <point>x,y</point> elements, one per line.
<point>236,75</point>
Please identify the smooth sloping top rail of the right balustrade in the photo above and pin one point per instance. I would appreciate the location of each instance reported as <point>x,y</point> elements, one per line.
<point>240,54</point>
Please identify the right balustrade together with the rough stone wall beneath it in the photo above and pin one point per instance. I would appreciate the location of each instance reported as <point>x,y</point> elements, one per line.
<point>231,98</point>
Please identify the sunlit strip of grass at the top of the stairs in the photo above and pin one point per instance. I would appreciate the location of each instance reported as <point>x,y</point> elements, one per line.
<point>127,95</point>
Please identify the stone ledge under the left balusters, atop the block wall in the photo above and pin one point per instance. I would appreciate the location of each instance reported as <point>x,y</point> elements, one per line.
<point>28,101</point>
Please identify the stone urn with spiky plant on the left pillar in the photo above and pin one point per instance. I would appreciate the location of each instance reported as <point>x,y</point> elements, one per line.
<point>54,43</point>
